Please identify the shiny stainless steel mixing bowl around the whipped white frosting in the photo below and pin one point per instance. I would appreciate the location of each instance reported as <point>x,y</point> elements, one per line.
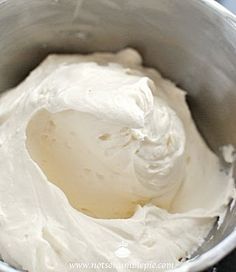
<point>191,42</point>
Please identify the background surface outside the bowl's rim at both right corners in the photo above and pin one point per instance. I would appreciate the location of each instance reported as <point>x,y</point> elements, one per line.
<point>228,264</point>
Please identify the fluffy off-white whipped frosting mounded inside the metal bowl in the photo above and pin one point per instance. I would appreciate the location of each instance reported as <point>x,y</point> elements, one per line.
<point>100,162</point>
